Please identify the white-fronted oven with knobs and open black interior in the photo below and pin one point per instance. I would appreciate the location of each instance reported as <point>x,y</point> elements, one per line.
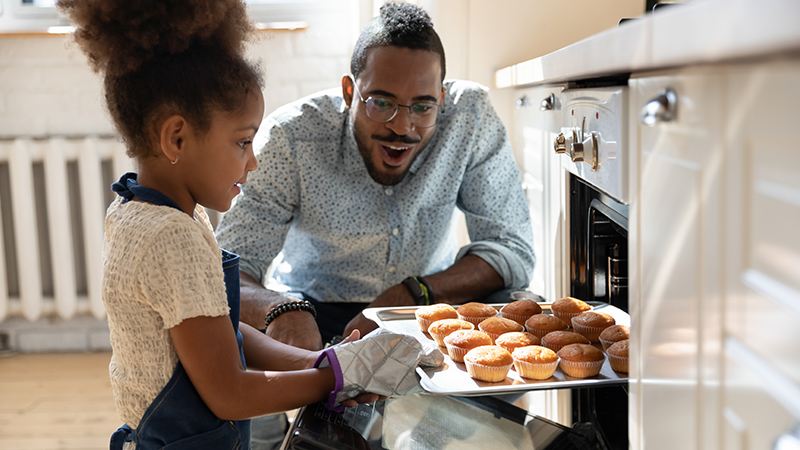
<point>591,146</point>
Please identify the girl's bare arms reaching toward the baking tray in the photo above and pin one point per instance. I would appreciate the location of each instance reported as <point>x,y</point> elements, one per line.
<point>207,349</point>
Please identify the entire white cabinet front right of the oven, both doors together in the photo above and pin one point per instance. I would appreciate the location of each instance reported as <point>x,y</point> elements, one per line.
<point>715,219</point>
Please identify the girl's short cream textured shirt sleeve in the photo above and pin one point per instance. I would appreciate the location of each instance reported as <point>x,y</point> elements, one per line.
<point>181,275</point>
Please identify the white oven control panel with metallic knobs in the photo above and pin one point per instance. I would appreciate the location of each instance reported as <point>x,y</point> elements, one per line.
<point>592,138</point>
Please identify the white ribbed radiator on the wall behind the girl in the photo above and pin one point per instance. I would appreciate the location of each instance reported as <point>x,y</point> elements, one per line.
<point>53,196</point>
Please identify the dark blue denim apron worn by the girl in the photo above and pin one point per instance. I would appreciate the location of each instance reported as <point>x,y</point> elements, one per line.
<point>178,418</point>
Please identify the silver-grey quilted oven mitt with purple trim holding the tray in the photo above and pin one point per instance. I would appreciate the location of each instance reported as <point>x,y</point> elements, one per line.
<point>382,362</point>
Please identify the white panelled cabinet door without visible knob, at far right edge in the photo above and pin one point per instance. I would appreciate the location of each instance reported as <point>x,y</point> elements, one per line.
<point>761,388</point>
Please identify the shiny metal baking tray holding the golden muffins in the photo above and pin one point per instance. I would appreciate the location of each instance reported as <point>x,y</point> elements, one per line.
<point>452,377</point>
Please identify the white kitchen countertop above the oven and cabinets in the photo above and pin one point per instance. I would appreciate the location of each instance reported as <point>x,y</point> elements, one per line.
<point>701,32</point>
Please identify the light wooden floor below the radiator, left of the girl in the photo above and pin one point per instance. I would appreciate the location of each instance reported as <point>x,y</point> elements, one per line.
<point>56,401</point>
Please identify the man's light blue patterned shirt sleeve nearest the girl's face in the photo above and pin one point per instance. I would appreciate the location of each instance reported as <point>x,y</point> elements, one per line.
<point>255,228</point>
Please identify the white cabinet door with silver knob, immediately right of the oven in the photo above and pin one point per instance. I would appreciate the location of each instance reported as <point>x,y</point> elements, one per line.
<point>676,218</point>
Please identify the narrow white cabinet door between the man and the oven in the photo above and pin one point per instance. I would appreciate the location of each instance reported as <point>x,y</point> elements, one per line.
<point>536,126</point>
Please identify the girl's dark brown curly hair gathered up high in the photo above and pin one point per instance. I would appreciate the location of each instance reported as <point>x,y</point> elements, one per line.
<point>160,58</point>
